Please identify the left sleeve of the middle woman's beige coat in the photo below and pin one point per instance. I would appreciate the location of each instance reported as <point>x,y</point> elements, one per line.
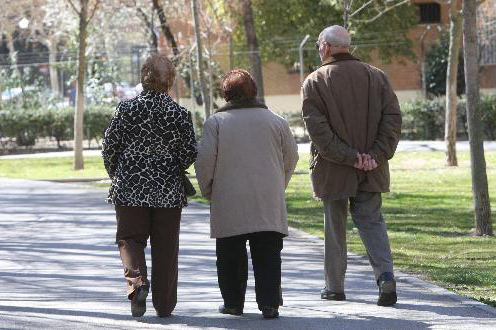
<point>207,157</point>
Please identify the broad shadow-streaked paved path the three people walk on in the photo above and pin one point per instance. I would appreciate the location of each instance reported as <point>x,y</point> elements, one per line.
<point>59,269</point>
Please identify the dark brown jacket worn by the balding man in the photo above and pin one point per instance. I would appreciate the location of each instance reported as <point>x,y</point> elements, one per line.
<point>349,107</point>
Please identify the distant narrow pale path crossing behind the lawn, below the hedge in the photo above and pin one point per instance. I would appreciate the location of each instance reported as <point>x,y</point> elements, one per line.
<point>304,147</point>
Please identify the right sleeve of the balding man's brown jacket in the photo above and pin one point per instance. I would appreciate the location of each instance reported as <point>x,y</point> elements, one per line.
<point>389,130</point>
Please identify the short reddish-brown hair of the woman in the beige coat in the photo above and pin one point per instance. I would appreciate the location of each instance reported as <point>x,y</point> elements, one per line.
<point>238,85</point>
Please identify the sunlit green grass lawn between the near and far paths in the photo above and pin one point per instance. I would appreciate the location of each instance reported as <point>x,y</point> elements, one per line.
<point>428,212</point>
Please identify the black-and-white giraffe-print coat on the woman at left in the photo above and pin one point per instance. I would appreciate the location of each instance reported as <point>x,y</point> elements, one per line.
<point>149,143</point>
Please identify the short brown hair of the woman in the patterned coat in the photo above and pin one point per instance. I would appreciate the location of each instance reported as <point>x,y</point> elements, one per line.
<point>158,73</point>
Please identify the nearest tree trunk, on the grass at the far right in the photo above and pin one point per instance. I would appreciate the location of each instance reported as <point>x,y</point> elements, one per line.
<point>483,224</point>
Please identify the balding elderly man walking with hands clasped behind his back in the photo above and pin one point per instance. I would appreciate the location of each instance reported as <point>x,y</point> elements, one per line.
<point>354,122</point>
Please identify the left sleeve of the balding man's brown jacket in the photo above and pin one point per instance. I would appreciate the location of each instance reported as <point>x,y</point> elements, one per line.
<point>328,144</point>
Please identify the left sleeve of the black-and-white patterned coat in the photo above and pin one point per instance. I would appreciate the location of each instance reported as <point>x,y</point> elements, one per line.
<point>112,146</point>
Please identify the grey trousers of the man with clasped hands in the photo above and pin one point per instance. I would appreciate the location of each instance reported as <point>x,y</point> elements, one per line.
<point>365,209</point>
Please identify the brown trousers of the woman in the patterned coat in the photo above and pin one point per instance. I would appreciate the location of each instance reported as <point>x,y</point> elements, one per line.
<point>134,226</point>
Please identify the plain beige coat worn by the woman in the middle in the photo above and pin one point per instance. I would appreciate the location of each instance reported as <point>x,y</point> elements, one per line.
<point>245,160</point>
